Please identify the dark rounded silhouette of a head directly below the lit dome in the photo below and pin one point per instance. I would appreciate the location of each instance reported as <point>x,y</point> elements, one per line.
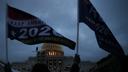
<point>40,68</point>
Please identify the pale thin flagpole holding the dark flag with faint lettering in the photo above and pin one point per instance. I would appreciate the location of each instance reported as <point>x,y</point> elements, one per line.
<point>77,40</point>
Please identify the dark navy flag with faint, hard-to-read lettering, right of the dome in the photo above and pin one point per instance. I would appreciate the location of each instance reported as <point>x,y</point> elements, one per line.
<point>105,38</point>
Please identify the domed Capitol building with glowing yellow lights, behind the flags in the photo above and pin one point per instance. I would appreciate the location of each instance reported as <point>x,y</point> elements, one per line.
<point>53,56</point>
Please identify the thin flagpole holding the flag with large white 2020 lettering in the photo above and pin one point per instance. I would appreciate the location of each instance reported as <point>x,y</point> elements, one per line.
<point>6,32</point>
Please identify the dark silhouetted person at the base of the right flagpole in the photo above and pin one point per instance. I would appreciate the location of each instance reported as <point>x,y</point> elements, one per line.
<point>75,67</point>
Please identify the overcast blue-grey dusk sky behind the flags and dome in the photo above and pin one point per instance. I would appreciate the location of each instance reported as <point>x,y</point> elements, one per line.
<point>61,15</point>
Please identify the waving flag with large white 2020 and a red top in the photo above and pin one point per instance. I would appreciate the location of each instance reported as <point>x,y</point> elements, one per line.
<point>29,29</point>
